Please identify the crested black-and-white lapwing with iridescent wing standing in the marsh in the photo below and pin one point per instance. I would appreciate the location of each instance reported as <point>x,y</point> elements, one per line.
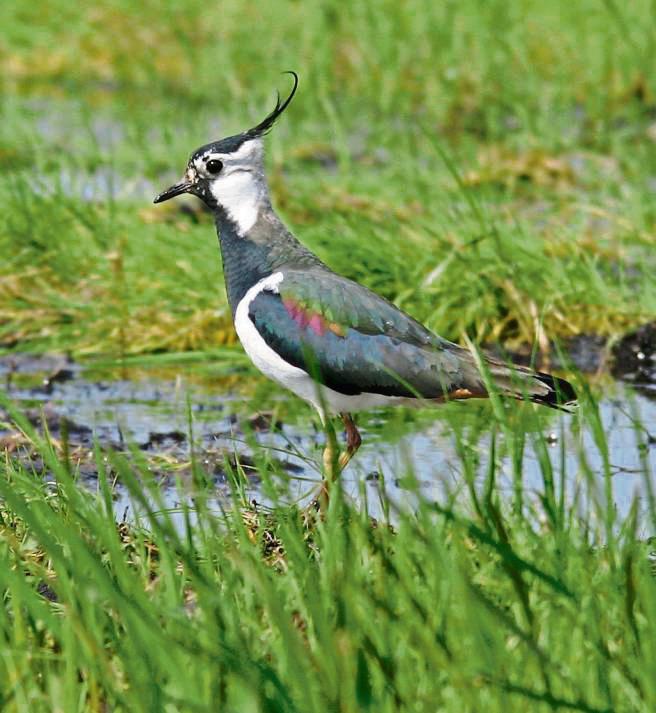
<point>328,339</point>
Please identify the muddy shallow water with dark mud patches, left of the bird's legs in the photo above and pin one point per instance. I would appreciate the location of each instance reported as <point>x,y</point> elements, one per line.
<point>78,410</point>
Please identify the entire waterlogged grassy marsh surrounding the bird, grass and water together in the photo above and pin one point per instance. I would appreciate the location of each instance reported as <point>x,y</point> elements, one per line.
<point>489,167</point>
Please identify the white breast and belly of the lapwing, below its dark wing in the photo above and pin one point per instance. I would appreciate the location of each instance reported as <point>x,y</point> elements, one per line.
<point>289,376</point>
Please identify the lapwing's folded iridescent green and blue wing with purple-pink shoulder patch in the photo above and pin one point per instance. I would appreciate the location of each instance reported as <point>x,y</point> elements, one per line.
<point>354,341</point>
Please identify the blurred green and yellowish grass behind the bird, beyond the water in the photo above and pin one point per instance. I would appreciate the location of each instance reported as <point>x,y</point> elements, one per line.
<point>486,165</point>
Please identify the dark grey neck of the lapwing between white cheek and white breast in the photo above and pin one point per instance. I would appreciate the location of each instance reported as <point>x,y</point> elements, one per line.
<point>267,247</point>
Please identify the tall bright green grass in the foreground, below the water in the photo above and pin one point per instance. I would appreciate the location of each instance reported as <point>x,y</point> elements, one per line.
<point>487,600</point>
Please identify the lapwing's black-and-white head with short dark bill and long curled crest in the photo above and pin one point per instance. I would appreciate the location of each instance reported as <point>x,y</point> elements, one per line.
<point>228,175</point>
